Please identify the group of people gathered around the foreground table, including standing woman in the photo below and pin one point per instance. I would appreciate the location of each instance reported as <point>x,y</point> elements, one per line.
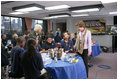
<point>26,53</point>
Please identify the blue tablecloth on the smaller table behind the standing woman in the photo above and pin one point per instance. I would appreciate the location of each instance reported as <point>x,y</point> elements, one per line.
<point>96,50</point>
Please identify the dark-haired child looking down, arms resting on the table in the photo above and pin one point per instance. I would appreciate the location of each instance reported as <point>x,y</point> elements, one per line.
<point>49,44</point>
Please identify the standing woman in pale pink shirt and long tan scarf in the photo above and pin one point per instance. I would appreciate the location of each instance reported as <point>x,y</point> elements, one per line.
<point>83,43</point>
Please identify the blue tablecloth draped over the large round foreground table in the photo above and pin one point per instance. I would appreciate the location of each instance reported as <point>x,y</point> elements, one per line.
<point>65,70</point>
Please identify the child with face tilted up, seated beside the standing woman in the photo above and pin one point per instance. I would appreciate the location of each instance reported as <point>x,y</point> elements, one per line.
<point>66,43</point>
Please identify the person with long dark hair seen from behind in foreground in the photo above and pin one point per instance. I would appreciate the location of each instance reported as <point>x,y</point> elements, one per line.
<point>32,61</point>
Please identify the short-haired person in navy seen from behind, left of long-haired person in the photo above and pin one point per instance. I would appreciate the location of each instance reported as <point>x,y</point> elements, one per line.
<point>16,55</point>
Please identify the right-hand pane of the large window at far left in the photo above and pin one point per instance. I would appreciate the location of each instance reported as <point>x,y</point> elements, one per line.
<point>16,25</point>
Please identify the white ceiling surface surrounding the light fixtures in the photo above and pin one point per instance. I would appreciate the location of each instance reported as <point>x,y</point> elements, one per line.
<point>6,8</point>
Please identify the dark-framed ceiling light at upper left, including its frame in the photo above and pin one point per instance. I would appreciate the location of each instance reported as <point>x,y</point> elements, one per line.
<point>29,7</point>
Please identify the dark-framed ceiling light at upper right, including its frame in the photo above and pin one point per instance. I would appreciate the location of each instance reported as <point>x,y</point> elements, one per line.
<point>88,8</point>
